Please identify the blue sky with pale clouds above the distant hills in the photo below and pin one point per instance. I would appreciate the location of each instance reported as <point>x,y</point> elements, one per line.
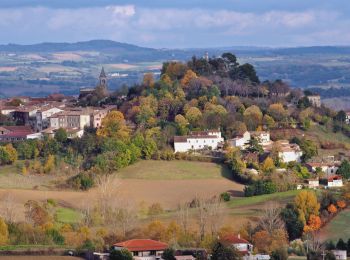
<point>178,23</point>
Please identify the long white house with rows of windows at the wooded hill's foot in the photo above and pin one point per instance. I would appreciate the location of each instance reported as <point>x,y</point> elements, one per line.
<point>198,140</point>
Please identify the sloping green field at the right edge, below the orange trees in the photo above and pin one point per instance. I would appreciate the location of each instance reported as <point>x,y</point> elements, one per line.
<point>338,228</point>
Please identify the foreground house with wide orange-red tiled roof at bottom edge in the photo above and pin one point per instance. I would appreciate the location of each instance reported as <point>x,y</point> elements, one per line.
<point>146,249</point>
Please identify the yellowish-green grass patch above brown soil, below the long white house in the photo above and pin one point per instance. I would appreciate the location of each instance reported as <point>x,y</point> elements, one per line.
<point>174,170</point>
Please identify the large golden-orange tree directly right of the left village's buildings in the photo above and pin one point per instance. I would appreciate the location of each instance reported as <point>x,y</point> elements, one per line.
<point>114,125</point>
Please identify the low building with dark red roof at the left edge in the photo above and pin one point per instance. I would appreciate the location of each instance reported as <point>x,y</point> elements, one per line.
<point>14,133</point>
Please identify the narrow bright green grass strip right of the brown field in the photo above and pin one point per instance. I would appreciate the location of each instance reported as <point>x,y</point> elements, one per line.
<point>249,201</point>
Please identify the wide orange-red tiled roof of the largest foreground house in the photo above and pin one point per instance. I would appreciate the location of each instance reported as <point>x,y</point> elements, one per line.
<point>142,245</point>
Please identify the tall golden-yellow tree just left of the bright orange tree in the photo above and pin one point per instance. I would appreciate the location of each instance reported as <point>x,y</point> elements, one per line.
<point>307,205</point>
